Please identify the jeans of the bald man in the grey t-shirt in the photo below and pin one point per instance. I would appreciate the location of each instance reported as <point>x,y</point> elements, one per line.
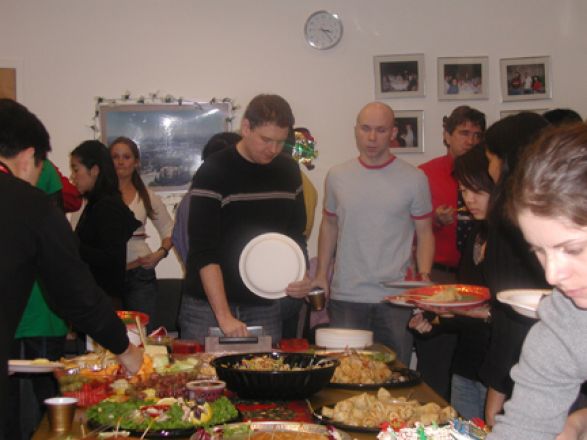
<point>388,323</point>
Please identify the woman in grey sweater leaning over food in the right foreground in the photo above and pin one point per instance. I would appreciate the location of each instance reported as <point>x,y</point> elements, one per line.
<point>549,202</point>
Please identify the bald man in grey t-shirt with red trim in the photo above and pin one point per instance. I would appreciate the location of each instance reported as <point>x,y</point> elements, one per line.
<point>373,207</point>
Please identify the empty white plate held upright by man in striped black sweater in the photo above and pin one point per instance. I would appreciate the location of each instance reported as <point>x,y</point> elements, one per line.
<point>269,262</point>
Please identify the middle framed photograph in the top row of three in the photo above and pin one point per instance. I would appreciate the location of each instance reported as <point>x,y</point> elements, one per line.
<point>463,78</point>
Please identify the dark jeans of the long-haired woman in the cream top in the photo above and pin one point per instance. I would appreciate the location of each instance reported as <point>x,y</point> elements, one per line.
<point>140,291</point>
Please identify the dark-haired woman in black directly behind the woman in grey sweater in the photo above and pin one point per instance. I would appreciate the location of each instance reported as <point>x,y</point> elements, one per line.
<point>509,261</point>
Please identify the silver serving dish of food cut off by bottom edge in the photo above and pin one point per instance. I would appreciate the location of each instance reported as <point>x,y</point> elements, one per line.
<point>275,427</point>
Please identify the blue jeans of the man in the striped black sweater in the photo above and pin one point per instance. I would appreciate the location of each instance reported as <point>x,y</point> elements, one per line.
<point>196,317</point>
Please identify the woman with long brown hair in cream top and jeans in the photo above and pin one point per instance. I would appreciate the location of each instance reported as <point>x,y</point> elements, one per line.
<point>140,281</point>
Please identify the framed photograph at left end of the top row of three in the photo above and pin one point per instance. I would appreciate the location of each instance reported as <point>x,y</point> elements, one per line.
<point>399,76</point>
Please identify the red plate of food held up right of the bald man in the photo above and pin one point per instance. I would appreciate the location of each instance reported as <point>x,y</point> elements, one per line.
<point>470,296</point>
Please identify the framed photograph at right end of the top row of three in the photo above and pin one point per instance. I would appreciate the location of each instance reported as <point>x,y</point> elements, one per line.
<point>525,78</point>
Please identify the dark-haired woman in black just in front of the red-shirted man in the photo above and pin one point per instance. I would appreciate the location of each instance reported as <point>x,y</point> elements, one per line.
<point>470,326</point>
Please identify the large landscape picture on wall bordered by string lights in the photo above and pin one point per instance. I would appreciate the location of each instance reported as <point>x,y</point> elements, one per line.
<point>170,136</point>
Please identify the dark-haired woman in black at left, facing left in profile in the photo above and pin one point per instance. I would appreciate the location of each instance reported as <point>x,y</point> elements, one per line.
<point>106,224</point>
